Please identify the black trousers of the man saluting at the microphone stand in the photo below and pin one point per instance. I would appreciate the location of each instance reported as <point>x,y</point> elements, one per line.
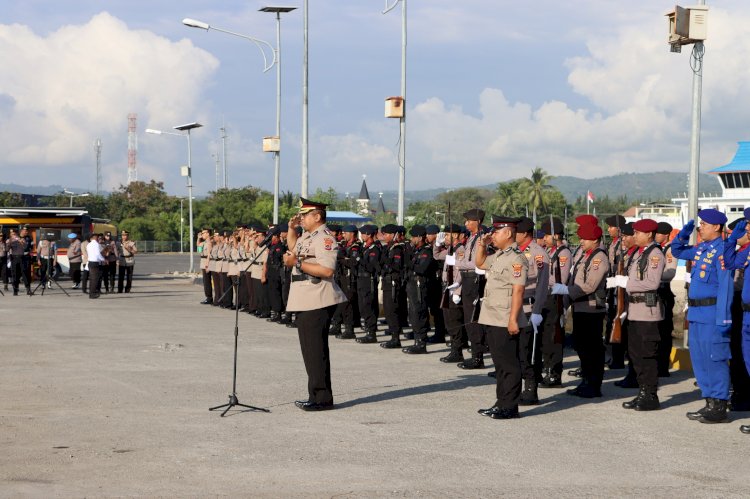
<point>312,328</point>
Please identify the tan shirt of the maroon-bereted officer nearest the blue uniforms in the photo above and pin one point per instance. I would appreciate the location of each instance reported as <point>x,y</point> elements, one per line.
<point>646,281</point>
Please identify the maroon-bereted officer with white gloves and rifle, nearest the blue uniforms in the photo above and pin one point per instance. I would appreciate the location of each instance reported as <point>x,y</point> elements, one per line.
<point>645,310</point>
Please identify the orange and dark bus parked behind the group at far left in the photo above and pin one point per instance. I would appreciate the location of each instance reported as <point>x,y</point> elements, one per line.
<point>62,221</point>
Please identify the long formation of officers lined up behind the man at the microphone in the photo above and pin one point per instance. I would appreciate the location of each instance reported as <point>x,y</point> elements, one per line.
<point>504,289</point>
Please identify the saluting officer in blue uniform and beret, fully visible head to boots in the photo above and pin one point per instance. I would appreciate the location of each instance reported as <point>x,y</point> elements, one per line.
<point>709,312</point>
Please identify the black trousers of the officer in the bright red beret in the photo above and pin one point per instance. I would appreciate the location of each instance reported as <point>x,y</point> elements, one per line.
<point>587,334</point>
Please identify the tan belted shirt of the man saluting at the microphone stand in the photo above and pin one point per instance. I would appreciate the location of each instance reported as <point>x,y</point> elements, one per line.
<point>318,247</point>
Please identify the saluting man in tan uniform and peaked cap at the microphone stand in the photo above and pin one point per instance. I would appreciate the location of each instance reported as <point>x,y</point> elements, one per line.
<point>313,295</point>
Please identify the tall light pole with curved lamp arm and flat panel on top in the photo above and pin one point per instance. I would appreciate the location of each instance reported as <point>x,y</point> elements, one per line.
<point>276,54</point>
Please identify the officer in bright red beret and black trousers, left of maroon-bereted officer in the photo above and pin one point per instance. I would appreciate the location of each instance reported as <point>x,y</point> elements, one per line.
<point>587,291</point>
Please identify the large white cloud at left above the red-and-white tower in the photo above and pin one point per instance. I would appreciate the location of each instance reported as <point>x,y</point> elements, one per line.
<point>80,82</point>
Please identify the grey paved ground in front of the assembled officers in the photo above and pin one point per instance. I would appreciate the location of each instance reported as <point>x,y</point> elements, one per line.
<point>110,398</point>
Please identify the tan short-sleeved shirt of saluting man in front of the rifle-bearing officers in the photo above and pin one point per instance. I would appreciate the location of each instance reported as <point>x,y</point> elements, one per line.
<point>504,269</point>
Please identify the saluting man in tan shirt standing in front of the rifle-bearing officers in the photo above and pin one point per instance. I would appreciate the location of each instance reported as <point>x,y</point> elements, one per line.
<point>502,314</point>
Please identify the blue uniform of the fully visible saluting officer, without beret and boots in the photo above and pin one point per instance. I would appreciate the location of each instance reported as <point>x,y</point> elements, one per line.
<point>711,290</point>
